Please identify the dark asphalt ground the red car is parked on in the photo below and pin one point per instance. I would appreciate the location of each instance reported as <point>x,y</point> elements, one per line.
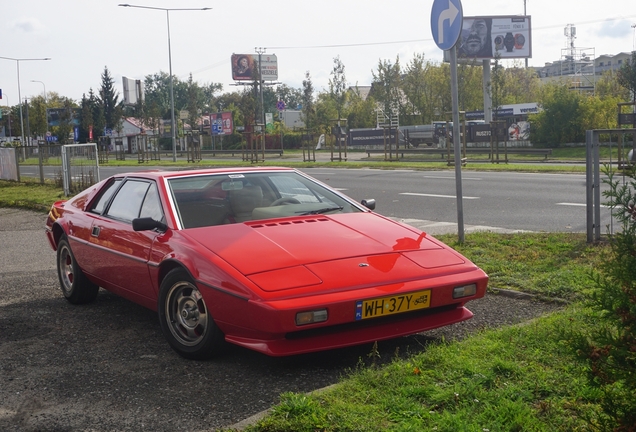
<point>105,366</point>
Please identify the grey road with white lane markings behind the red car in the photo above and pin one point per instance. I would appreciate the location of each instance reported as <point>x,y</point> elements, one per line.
<point>514,201</point>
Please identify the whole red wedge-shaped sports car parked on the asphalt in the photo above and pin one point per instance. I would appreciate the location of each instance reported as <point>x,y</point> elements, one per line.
<point>265,258</point>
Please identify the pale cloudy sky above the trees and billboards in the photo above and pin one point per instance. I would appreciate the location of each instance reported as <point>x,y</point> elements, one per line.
<point>82,37</point>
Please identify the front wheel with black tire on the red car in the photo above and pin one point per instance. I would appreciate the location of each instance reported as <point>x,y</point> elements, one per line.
<point>185,319</point>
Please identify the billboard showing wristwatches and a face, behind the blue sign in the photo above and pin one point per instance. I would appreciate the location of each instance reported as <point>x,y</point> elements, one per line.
<point>488,37</point>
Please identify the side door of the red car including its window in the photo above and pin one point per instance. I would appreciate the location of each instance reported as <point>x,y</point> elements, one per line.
<point>121,254</point>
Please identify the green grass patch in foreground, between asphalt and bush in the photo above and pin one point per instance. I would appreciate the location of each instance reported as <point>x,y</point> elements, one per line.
<point>521,378</point>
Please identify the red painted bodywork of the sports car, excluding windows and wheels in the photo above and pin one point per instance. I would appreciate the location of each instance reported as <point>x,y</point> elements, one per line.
<point>256,276</point>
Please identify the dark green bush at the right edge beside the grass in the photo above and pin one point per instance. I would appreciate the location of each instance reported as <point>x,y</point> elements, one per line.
<point>610,349</point>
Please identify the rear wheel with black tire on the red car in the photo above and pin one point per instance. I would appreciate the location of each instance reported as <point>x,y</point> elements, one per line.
<point>76,287</point>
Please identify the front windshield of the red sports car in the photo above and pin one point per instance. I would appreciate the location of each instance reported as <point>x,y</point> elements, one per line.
<point>218,199</point>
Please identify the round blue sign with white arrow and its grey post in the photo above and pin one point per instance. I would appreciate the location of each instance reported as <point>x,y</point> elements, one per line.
<point>447,17</point>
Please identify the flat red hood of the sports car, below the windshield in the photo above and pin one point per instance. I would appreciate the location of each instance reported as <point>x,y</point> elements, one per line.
<point>287,253</point>
